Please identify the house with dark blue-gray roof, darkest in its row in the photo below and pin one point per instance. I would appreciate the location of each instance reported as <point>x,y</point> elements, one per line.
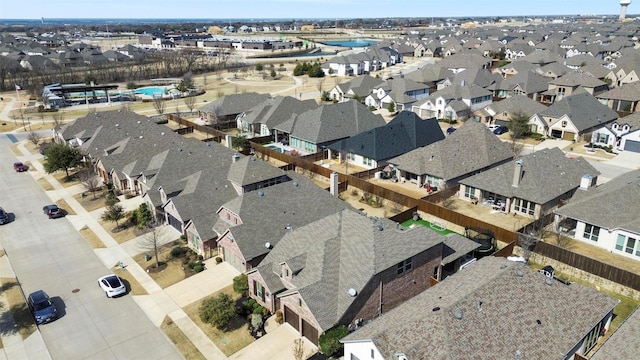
<point>371,149</point>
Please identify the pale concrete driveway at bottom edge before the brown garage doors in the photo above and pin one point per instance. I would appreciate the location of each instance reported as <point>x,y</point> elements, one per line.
<point>276,344</point>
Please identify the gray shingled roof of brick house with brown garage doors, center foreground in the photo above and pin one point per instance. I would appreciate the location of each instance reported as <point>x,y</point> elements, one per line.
<point>345,250</point>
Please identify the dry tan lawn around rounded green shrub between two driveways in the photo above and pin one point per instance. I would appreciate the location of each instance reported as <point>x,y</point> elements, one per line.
<point>229,342</point>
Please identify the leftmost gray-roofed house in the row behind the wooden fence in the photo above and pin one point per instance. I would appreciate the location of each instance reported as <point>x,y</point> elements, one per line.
<point>225,110</point>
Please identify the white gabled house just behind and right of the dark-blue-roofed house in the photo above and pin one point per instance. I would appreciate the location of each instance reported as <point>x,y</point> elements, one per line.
<point>453,102</point>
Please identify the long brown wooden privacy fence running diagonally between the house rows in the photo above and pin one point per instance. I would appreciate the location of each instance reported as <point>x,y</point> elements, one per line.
<point>426,205</point>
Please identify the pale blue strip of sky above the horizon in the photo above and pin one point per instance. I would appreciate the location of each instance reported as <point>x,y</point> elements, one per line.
<point>298,9</point>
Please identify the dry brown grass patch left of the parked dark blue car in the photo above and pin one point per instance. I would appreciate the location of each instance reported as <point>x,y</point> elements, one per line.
<point>18,308</point>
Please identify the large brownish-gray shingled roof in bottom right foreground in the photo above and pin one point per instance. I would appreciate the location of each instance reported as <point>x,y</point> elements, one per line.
<point>541,321</point>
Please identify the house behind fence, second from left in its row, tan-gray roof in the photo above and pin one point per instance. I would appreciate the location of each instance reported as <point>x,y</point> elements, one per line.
<point>262,118</point>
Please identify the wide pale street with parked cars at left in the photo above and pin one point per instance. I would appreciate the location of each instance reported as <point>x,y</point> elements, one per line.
<point>51,255</point>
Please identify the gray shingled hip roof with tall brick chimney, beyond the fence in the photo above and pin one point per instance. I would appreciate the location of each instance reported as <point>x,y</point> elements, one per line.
<point>561,175</point>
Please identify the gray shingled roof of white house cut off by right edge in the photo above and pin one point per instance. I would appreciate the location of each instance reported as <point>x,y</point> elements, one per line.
<point>603,205</point>
